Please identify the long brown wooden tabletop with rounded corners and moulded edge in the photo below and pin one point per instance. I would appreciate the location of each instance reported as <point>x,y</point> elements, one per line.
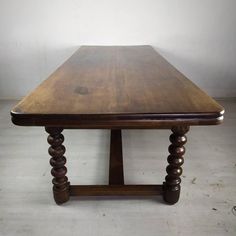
<point>117,85</point>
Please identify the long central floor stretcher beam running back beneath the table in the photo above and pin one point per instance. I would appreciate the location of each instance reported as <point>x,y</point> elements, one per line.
<point>116,173</point>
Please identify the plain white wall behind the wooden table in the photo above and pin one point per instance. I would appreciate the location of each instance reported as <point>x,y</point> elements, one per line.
<point>197,36</point>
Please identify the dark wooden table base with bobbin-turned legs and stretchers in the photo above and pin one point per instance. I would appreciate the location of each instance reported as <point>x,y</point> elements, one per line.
<point>170,189</point>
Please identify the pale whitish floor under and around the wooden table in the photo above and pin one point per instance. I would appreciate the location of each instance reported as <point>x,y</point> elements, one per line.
<point>208,183</point>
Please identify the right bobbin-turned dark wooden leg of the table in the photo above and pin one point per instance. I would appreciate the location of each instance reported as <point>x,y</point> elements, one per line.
<point>171,186</point>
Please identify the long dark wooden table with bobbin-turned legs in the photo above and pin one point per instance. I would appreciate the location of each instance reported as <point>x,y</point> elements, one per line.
<point>117,87</point>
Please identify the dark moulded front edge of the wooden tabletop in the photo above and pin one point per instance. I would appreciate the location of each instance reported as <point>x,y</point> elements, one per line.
<point>121,121</point>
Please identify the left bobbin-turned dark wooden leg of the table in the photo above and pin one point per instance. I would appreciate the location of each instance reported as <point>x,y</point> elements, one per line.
<point>58,160</point>
